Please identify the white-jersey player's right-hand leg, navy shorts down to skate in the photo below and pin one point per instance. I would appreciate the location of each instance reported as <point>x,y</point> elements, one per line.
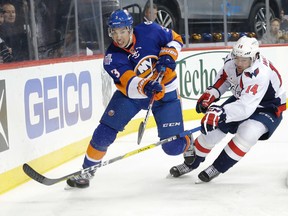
<point>260,126</point>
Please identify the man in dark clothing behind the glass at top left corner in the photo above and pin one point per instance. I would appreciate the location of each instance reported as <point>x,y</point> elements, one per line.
<point>14,33</point>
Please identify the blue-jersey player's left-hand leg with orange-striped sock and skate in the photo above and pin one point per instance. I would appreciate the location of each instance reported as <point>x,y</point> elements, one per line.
<point>116,116</point>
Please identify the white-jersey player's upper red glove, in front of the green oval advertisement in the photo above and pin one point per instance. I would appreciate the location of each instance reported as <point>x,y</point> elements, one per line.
<point>211,95</point>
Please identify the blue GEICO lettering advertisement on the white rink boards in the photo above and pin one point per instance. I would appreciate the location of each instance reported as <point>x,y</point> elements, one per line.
<point>56,102</point>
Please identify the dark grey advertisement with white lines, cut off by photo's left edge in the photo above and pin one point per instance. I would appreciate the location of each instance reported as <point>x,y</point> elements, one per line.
<point>4,141</point>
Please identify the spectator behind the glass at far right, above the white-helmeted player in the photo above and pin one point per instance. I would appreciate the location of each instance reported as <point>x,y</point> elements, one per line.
<point>275,35</point>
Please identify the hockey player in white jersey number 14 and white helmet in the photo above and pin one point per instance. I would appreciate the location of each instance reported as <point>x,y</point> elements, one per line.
<point>252,113</point>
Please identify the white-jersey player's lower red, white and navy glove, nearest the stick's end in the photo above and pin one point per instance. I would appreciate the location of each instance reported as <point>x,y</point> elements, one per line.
<point>215,115</point>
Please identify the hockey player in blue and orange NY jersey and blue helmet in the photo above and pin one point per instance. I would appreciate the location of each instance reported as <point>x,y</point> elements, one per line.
<point>134,60</point>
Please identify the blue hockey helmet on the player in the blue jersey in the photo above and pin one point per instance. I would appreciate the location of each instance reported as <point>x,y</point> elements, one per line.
<point>120,18</point>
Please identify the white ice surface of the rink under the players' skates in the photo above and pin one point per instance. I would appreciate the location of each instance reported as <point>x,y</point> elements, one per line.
<point>138,185</point>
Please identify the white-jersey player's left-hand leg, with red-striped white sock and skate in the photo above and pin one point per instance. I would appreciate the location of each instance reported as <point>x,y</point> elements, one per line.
<point>203,144</point>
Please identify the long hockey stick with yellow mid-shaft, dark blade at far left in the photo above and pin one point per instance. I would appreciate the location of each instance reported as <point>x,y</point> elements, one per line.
<point>51,181</point>
